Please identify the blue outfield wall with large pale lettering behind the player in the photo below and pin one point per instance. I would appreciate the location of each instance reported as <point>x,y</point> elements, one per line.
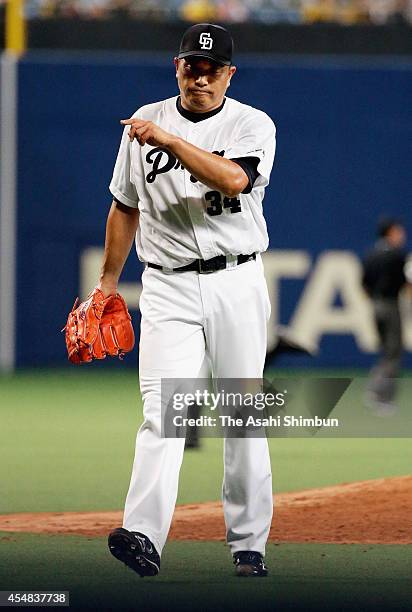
<point>343,157</point>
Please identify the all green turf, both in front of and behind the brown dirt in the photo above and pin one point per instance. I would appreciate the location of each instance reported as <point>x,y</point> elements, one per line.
<point>67,443</point>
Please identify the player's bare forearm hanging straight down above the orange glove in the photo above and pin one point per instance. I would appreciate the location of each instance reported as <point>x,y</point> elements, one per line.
<point>122,223</point>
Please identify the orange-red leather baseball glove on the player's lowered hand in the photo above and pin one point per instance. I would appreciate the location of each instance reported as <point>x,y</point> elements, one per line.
<point>98,327</point>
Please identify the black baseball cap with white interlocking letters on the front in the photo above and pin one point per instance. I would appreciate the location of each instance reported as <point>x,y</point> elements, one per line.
<point>207,40</point>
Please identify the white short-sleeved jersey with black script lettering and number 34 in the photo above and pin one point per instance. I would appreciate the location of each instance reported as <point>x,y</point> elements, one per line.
<point>182,219</point>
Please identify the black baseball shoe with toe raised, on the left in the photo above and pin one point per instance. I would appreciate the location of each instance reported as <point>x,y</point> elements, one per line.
<point>135,550</point>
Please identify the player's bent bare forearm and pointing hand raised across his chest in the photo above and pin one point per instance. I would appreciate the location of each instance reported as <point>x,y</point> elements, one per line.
<point>210,169</point>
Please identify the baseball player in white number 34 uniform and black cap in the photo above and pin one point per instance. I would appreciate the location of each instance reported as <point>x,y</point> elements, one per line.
<point>188,182</point>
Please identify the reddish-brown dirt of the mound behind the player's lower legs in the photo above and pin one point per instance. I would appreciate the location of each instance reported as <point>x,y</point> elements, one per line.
<point>370,512</point>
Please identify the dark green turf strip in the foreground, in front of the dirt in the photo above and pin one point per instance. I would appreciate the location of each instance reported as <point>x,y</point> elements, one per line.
<point>199,576</point>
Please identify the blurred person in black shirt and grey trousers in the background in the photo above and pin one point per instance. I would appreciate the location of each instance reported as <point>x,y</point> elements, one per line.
<point>384,275</point>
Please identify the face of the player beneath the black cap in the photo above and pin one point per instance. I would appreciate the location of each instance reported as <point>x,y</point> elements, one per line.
<point>202,83</point>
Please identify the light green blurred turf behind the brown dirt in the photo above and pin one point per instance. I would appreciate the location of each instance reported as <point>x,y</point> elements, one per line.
<point>67,443</point>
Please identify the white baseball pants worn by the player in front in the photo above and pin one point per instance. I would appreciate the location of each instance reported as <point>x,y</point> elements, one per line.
<point>185,317</point>
